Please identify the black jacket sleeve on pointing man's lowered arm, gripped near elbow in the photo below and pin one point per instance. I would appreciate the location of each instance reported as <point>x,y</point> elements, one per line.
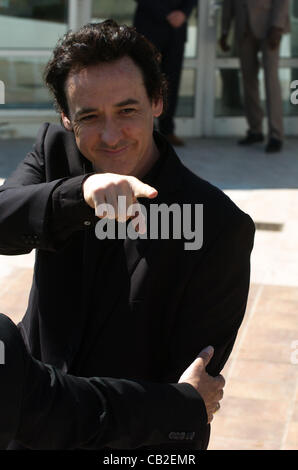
<point>214,302</point>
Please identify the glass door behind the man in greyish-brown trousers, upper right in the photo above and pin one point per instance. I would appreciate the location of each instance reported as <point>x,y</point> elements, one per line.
<point>223,96</point>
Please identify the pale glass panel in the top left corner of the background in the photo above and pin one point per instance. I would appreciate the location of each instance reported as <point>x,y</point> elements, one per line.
<point>32,24</point>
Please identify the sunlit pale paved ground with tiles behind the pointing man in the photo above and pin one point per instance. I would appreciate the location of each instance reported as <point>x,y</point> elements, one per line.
<point>260,407</point>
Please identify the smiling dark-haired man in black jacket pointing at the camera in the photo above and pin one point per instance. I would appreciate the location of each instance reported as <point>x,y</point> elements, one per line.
<point>128,308</point>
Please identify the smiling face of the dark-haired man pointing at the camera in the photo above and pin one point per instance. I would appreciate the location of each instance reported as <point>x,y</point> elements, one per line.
<point>112,117</point>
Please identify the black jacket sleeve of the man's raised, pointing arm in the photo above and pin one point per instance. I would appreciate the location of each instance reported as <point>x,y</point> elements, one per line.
<point>36,213</point>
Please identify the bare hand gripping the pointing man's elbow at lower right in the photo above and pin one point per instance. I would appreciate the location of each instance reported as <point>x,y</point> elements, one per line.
<point>210,388</point>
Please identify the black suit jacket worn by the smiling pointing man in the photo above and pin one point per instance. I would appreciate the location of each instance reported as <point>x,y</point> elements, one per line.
<point>180,301</point>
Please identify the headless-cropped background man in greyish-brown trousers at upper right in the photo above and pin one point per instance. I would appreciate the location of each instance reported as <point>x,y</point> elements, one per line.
<point>259,25</point>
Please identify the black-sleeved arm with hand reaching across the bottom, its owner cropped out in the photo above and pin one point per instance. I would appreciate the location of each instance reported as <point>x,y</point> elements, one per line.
<point>35,398</point>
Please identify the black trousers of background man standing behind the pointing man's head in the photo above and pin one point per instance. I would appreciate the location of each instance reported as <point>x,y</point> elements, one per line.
<point>170,42</point>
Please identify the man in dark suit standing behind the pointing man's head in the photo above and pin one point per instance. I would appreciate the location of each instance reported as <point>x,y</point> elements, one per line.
<point>165,24</point>
